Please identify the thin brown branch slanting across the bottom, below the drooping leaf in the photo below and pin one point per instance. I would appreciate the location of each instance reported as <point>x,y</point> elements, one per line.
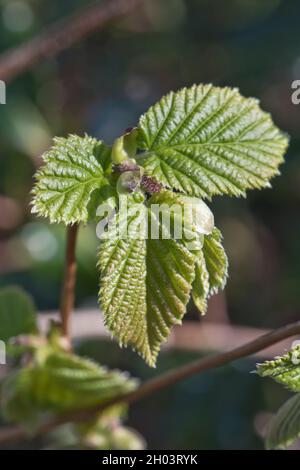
<point>162,381</point>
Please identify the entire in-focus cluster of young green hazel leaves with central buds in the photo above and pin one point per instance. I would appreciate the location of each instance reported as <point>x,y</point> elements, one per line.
<point>198,142</point>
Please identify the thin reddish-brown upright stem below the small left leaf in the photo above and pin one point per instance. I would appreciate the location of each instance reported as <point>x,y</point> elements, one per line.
<point>67,295</point>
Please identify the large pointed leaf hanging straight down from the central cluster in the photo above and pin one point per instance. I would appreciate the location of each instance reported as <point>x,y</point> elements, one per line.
<point>145,286</point>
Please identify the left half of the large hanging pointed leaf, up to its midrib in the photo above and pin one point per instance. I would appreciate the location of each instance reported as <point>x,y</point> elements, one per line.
<point>122,293</point>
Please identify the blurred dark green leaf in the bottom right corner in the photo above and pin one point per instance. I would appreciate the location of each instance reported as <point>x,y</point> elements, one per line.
<point>284,427</point>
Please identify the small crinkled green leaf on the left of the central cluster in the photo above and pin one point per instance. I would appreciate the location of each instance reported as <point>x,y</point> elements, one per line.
<point>73,169</point>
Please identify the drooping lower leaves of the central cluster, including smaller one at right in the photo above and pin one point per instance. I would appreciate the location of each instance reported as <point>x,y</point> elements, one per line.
<point>146,281</point>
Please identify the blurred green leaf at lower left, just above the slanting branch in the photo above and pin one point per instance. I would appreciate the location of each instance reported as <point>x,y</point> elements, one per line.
<point>57,382</point>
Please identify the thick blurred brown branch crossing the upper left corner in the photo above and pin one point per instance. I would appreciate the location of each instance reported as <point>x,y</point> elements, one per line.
<point>62,35</point>
